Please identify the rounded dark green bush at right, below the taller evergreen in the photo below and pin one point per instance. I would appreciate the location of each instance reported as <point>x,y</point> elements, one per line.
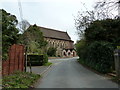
<point>99,56</point>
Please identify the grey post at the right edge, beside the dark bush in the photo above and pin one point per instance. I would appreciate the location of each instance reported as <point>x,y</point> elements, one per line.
<point>117,64</point>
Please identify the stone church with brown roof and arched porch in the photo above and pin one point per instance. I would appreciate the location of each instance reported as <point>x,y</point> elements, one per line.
<point>60,40</point>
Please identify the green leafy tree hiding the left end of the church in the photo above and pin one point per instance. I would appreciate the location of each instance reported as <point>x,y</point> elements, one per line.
<point>33,39</point>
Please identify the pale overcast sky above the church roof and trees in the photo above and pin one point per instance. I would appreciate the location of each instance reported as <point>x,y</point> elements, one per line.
<point>55,14</point>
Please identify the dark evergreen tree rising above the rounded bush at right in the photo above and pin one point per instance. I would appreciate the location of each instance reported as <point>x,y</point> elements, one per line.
<point>104,30</point>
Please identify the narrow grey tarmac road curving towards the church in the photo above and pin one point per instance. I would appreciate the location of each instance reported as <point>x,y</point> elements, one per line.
<point>68,73</point>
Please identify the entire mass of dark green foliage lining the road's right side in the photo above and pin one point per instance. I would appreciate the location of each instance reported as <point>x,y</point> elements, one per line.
<point>98,43</point>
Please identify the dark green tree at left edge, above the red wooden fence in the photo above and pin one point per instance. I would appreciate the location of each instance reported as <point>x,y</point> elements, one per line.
<point>9,32</point>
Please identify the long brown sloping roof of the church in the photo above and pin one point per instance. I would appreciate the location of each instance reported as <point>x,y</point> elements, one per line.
<point>51,33</point>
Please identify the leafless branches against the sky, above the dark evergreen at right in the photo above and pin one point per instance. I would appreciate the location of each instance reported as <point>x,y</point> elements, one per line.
<point>103,9</point>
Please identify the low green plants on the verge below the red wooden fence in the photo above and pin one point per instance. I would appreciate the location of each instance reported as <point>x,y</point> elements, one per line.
<point>19,80</point>
